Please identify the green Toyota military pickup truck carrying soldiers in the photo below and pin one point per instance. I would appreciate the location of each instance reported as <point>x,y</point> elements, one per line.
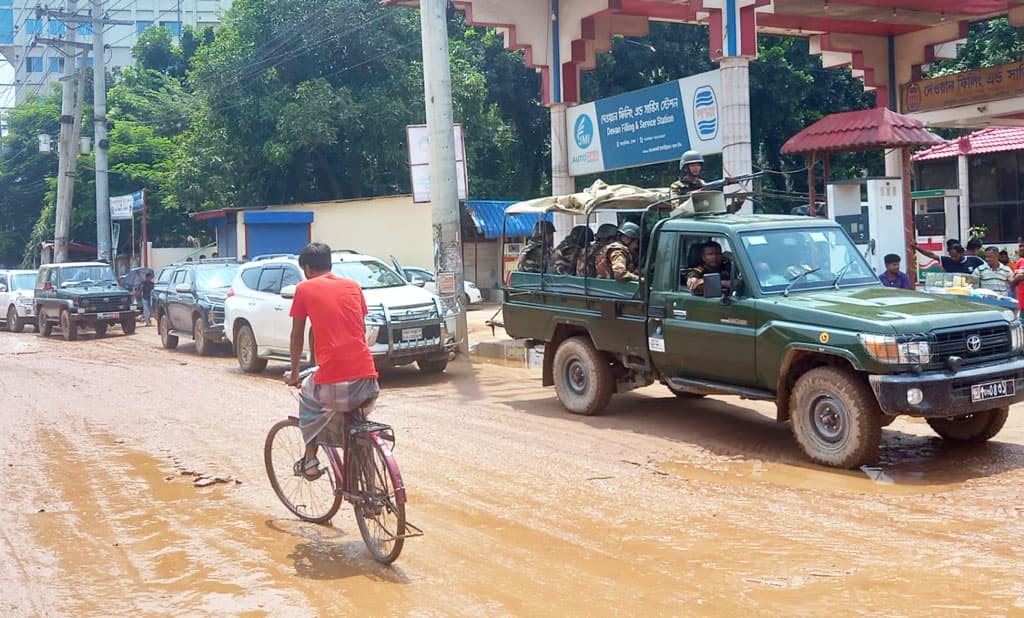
<point>795,317</point>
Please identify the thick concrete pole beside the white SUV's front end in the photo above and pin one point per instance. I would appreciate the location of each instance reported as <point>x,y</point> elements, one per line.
<point>444,182</point>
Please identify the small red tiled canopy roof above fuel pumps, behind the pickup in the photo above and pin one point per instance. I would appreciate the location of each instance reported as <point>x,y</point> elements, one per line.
<point>862,130</point>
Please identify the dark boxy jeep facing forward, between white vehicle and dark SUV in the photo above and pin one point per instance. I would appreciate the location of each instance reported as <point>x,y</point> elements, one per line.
<point>81,294</point>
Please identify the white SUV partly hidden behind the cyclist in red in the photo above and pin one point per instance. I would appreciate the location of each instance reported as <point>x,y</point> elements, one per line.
<point>415,326</point>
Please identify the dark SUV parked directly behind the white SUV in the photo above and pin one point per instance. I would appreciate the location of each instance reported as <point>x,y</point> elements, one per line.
<point>188,300</point>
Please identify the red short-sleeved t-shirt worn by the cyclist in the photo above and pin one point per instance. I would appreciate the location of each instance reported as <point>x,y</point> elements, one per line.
<point>336,308</point>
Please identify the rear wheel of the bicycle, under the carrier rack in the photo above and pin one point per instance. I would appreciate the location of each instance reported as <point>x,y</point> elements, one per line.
<point>381,518</point>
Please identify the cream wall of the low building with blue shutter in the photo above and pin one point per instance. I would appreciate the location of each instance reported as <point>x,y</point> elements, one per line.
<point>376,227</point>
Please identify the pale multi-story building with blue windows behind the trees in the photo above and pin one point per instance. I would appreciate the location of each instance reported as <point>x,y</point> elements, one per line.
<point>37,65</point>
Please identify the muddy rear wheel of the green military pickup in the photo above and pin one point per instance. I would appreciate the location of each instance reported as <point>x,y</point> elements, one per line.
<point>583,377</point>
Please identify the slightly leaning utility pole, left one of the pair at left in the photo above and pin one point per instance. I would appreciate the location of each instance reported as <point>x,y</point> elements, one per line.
<point>68,153</point>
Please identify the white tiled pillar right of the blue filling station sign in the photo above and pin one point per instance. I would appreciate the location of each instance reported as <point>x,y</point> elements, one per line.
<point>737,157</point>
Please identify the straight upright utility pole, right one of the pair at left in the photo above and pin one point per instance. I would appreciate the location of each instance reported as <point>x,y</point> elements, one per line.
<point>100,131</point>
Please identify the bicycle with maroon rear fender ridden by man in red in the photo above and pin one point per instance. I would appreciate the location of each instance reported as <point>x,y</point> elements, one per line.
<point>367,470</point>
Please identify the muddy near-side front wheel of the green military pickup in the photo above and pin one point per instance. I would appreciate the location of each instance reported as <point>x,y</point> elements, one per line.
<point>836,419</point>
